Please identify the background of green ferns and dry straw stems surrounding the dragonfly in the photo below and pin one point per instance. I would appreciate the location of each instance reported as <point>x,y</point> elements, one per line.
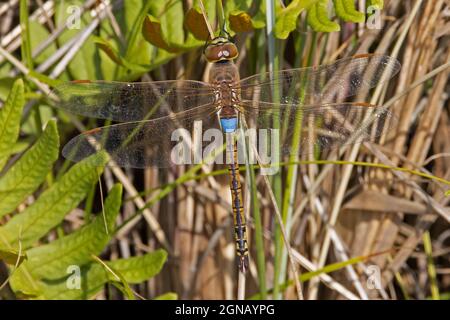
<point>379,212</point>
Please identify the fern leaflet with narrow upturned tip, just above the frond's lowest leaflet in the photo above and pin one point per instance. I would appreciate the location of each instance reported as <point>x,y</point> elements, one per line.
<point>51,261</point>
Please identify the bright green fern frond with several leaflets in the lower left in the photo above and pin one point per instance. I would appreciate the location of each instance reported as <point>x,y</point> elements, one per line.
<point>41,269</point>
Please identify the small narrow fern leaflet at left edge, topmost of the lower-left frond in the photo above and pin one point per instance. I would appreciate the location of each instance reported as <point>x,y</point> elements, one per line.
<point>10,116</point>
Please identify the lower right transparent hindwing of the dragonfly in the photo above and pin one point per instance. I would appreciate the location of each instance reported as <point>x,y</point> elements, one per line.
<point>318,128</point>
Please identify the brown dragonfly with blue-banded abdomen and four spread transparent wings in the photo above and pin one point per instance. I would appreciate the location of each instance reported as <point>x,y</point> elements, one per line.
<point>306,105</point>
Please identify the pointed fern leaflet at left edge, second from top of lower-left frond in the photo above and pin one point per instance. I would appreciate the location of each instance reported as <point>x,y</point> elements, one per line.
<point>30,171</point>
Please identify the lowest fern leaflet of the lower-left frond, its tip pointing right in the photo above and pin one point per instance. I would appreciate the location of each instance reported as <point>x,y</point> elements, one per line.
<point>94,277</point>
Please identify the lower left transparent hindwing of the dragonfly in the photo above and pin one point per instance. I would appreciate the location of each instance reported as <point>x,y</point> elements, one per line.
<point>161,142</point>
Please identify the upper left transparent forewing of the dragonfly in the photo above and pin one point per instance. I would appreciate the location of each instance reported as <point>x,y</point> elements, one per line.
<point>124,102</point>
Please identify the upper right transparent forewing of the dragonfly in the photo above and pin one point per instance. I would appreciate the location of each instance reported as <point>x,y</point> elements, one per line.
<point>321,84</point>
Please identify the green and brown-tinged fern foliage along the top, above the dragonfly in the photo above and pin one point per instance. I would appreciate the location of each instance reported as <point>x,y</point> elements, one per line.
<point>166,24</point>
